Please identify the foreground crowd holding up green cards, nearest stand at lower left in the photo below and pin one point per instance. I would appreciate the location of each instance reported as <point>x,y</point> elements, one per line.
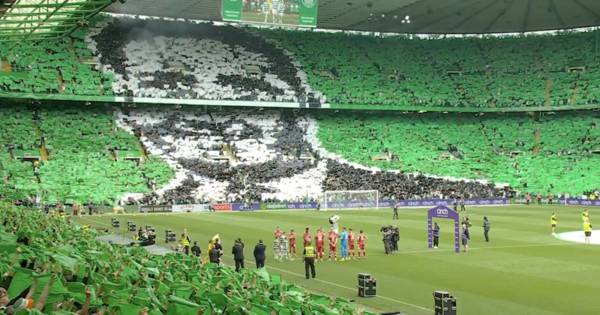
<point>66,270</point>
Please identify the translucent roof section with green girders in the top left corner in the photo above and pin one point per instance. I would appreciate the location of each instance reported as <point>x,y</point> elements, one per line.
<point>42,19</point>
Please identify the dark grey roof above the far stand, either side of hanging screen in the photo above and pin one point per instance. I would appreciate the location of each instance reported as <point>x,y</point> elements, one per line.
<point>426,16</point>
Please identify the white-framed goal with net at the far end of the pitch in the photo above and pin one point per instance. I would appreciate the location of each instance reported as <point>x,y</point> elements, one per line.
<point>350,199</point>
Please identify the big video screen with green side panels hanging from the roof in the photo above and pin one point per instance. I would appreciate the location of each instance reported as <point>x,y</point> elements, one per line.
<point>302,13</point>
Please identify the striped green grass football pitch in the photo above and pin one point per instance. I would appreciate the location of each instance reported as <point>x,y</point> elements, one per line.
<point>523,270</point>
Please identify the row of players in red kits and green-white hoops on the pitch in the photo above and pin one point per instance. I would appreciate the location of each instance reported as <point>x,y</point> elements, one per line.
<point>284,246</point>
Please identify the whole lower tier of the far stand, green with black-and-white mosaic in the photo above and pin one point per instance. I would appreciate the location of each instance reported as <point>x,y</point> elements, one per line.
<point>94,154</point>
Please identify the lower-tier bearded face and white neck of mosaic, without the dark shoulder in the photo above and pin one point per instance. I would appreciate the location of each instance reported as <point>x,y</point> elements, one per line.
<point>235,156</point>
